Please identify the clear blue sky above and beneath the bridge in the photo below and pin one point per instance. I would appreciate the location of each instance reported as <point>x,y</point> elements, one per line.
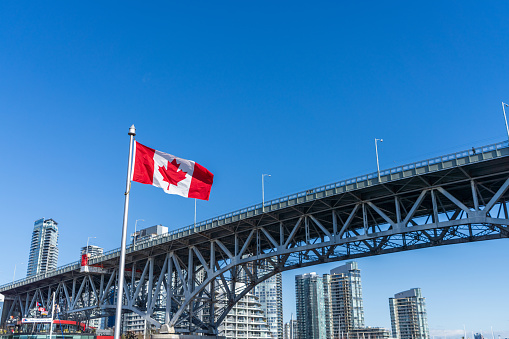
<point>295,89</point>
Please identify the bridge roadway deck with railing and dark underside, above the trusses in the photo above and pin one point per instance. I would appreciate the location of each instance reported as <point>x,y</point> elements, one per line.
<point>490,162</point>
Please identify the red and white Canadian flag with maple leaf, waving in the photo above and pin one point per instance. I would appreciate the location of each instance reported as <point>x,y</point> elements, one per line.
<point>174,175</point>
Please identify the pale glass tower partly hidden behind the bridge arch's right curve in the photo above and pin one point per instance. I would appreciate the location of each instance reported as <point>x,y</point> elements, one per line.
<point>270,295</point>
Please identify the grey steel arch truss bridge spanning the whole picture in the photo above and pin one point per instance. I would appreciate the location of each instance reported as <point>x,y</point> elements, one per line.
<point>190,278</point>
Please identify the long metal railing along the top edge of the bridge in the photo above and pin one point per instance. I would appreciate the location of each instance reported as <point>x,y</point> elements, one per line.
<point>271,204</point>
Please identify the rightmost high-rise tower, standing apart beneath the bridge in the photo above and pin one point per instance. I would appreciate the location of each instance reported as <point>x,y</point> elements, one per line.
<point>408,315</point>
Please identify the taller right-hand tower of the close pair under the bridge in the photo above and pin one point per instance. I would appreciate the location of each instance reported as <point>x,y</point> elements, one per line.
<point>347,311</point>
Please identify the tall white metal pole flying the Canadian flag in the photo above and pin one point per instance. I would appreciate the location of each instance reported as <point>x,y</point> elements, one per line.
<point>120,292</point>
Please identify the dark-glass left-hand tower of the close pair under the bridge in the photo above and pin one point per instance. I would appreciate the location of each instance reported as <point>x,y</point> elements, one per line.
<point>310,306</point>
